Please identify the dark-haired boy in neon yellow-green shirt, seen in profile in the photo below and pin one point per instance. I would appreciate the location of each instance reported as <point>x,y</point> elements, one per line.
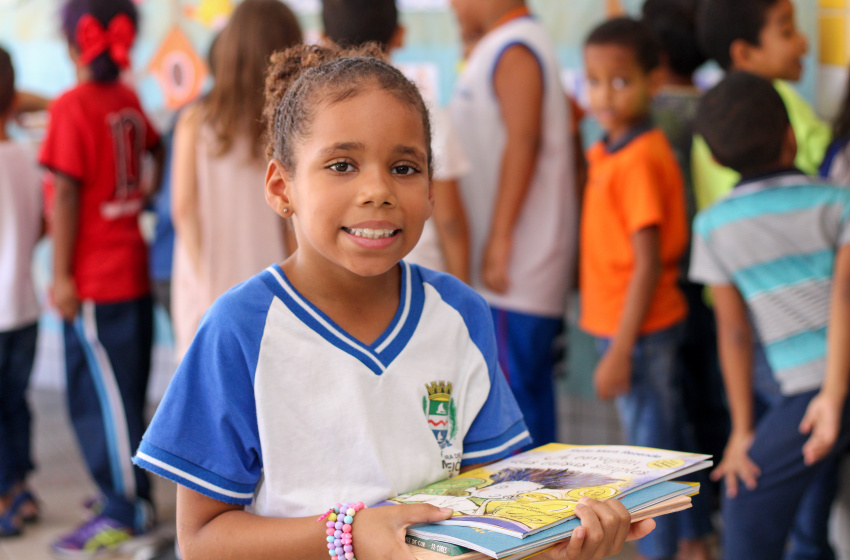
<point>760,37</point>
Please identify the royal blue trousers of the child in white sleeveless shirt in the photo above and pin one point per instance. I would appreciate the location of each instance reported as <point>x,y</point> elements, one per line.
<point>527,358</point>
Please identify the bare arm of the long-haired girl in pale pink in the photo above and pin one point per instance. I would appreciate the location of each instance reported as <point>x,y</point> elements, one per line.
<point>184,186</point>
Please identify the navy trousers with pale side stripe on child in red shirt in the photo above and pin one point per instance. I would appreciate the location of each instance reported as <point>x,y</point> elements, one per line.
<point>107,352</point>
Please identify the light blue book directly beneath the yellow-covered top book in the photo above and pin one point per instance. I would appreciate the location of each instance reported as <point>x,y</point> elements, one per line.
<point>501,546</point>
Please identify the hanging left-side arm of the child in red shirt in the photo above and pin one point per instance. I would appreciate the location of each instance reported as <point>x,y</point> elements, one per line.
<point>66,219</point>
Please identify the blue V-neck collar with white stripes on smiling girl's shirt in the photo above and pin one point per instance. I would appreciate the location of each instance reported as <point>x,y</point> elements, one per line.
<point>376,356</point>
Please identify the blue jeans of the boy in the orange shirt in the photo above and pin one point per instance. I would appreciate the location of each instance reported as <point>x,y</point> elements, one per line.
<point>652,415</point>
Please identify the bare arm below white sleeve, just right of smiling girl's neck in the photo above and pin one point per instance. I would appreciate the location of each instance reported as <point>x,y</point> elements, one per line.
<point>452,229</point>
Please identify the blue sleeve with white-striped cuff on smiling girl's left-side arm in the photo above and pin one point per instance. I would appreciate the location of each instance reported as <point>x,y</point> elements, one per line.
<point>204,434</point>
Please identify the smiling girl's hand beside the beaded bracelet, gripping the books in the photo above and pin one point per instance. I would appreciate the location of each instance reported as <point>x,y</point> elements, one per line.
<point>379,532</point>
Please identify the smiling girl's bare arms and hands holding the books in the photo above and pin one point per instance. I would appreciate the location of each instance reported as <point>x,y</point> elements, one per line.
<point>211,530</point>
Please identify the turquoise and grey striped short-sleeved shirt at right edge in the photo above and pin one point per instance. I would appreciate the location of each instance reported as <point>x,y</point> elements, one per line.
<point>774,238</point>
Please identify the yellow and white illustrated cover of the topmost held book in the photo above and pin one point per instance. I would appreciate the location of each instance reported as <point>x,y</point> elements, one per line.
<point>536,489</point>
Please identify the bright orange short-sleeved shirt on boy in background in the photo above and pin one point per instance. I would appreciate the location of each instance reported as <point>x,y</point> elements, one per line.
<point>631,186</point>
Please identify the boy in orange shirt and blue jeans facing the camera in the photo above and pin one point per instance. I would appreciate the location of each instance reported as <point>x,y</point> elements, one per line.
<point>633,235</point>
